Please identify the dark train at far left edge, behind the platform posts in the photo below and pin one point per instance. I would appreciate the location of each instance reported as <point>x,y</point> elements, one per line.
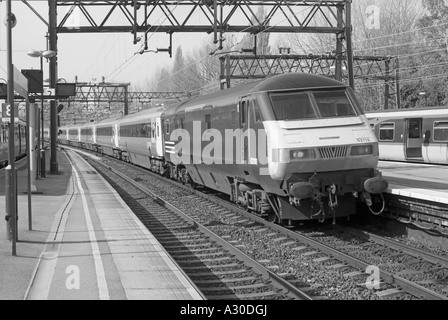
<point>19,142</point>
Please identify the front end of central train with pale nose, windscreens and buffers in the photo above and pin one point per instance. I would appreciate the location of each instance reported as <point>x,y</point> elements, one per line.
<point>322,151</point>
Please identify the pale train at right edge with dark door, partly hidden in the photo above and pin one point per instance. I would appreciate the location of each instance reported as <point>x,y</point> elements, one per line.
<point>412,135</point>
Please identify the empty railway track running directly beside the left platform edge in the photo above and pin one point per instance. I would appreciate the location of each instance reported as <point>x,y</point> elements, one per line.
<point>217,268</point>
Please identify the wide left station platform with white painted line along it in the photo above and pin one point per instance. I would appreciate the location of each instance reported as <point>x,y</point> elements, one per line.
<point>85,243</point>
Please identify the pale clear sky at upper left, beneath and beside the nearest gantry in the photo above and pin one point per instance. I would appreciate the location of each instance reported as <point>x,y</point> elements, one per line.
<point>89,56</point>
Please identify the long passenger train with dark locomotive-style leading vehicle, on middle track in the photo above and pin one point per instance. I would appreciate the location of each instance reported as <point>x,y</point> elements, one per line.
<point>288,147</point>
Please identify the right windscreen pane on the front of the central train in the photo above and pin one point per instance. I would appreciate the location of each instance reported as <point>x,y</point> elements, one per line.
<point>334,104</point>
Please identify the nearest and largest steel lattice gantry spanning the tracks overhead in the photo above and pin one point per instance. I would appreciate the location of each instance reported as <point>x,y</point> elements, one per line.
<point>217,17</point>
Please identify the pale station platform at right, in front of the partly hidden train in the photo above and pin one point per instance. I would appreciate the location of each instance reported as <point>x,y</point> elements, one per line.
<point>416,180</point>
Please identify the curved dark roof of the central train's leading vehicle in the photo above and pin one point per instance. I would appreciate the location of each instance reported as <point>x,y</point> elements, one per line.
<point>281,82</point>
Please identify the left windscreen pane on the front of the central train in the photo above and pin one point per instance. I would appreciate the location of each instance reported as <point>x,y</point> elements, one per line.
<point>292,106</point>
